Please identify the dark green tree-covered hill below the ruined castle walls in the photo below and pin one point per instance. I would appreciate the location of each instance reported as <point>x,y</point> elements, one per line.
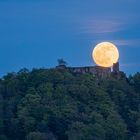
<point>59,105</point>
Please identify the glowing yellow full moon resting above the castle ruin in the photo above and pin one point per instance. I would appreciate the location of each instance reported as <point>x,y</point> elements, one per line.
<point>105,54</point>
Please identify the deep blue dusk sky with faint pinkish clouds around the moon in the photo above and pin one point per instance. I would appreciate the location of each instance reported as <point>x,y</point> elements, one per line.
<point>36,33</point>
